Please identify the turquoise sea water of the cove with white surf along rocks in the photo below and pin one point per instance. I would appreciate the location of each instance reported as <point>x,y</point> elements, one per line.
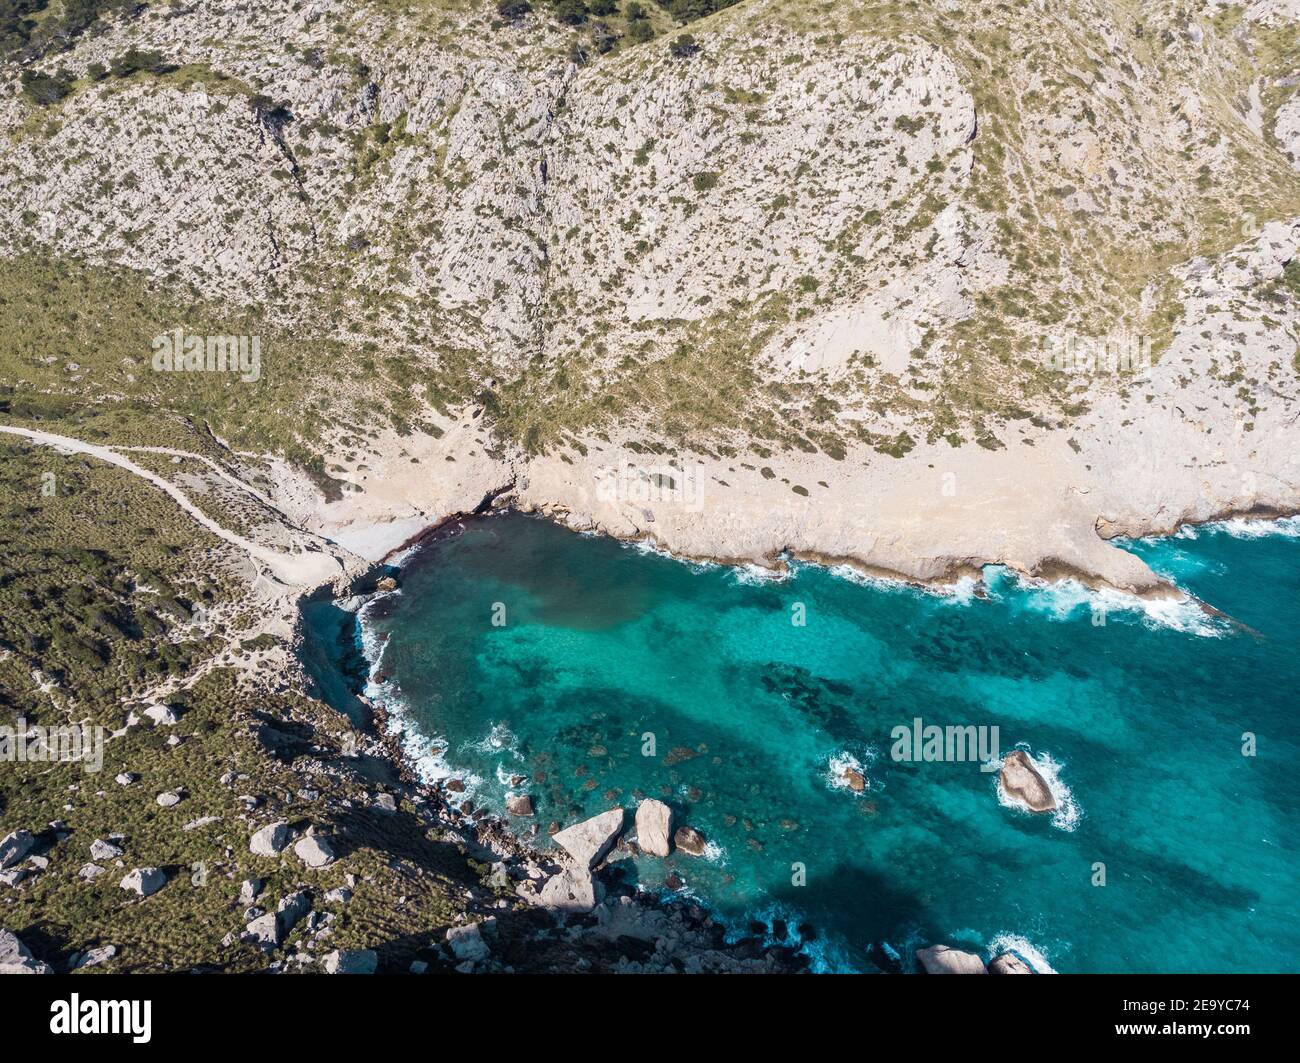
<point>1138,723</point>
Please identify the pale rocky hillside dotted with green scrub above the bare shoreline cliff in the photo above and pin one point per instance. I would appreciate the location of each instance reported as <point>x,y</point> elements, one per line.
<point>799,224</point>
